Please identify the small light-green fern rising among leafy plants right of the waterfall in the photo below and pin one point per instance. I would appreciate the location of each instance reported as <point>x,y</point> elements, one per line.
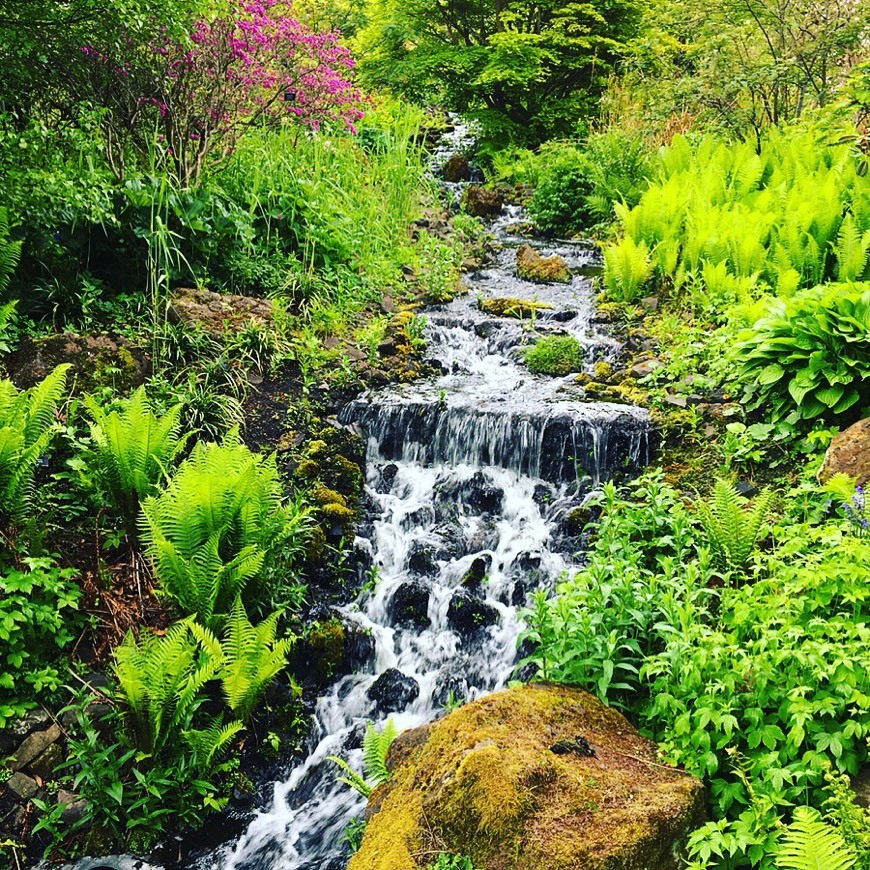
<point>732,526</point>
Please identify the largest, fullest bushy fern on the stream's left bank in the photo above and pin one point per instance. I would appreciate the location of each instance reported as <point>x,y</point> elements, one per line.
<point>217,527</point>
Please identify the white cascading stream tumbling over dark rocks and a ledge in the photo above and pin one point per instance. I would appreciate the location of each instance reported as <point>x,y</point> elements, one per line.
<point>470,477</point>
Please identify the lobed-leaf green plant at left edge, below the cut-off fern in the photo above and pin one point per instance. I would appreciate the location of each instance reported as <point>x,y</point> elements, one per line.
<point>38,619</point>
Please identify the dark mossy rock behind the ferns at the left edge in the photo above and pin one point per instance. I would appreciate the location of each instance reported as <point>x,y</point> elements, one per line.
<point>97,361</point>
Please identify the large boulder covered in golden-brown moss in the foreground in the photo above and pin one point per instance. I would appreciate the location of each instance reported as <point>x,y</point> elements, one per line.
<point>534,778</point>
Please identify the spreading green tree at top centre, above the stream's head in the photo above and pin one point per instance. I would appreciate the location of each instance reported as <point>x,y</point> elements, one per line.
<point>528,69</point>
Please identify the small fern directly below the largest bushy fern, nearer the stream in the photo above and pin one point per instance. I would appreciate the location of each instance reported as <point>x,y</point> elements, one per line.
<point>249,657</point>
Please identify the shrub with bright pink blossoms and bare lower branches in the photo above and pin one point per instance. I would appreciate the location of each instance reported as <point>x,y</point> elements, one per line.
<point>198,96</point>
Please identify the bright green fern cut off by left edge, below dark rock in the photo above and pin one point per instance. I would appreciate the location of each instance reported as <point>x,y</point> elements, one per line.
<point>27,427</point>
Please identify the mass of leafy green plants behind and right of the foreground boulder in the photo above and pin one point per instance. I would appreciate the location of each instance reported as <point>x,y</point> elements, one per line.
<point>772,673</point>
